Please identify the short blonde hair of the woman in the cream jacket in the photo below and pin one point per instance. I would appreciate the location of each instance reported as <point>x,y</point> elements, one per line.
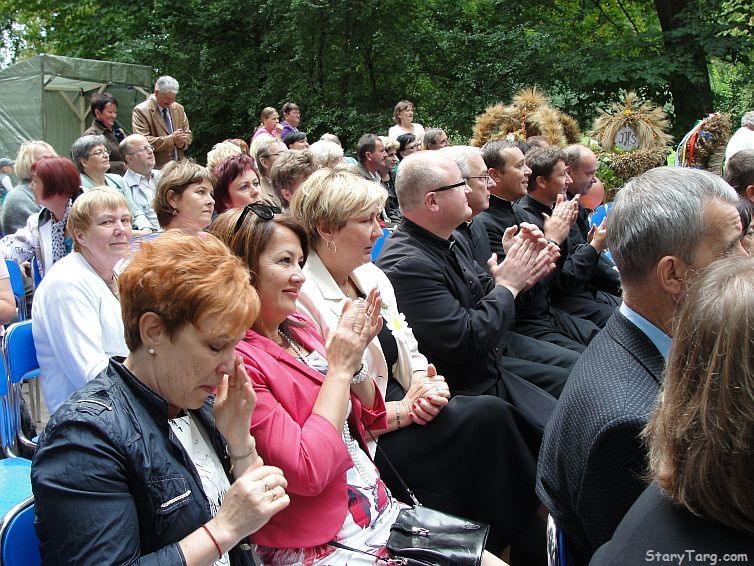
<point>330,197</point>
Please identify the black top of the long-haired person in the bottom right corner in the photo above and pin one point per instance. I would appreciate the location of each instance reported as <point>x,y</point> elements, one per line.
<point>655,525</point>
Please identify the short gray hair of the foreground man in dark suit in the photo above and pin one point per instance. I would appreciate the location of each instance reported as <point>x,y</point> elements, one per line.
<point>661,213</point>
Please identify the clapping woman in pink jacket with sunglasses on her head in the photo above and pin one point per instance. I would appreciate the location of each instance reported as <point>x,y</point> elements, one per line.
<point>315,403</point>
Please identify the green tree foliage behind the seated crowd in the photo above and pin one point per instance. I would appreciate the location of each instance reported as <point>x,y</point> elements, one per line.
<point>347,64</point>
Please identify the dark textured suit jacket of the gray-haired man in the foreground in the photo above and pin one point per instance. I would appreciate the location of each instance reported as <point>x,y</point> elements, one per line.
<point>592,459</point>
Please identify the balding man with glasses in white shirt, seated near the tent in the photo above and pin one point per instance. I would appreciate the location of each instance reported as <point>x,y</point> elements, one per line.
<point>140,177</point>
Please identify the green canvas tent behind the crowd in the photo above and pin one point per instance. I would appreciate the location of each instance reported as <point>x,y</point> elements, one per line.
<point>47,98</point>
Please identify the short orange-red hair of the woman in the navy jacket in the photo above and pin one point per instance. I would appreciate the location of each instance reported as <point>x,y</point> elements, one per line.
<point>186,279</point>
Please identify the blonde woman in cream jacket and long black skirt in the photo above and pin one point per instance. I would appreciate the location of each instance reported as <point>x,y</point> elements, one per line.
<point>471,456</point>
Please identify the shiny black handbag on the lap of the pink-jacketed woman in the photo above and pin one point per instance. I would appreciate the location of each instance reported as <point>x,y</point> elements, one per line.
<point>426,537</point>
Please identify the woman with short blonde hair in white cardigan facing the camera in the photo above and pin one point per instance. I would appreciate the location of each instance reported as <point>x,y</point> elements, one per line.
<point>76,312</point>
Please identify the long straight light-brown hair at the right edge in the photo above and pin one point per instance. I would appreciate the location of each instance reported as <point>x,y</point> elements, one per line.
<point>701,437</point>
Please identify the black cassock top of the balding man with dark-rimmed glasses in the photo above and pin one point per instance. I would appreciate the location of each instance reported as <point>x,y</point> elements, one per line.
<point>459,316</point>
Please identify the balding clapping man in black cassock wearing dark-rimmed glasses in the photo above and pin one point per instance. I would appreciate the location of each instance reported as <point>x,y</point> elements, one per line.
<point>460,313</point>
